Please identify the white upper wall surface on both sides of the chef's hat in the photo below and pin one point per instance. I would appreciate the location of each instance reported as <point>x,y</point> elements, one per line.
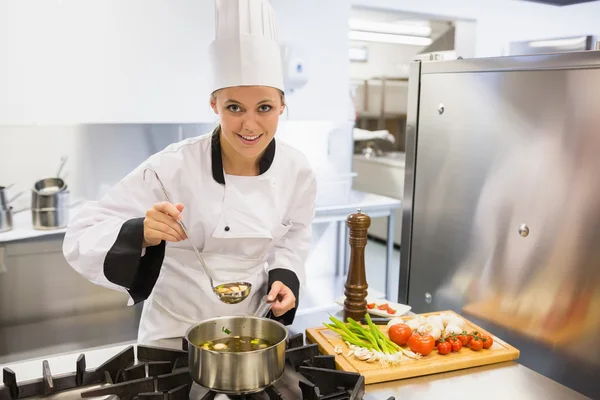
<point>144,61</point>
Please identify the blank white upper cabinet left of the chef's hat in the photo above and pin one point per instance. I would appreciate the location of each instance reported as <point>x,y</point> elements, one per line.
<point>104,61</point>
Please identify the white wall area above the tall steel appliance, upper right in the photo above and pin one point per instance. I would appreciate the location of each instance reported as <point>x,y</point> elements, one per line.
<point>501,21</point>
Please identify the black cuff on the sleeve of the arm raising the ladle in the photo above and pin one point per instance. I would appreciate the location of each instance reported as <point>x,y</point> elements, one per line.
<point>124,265</point>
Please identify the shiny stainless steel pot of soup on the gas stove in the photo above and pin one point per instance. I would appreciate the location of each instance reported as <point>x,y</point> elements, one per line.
<point>237,373</point>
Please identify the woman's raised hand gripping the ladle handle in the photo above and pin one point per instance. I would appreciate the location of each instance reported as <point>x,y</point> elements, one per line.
<point>161,224</point>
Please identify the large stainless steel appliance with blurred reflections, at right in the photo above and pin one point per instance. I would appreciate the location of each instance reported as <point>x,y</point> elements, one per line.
<point>501,217</point>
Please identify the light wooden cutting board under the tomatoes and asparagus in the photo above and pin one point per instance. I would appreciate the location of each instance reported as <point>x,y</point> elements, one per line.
<point>433,363</point>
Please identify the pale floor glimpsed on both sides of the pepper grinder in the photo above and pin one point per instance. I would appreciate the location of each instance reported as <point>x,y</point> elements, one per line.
<point>324,290</point>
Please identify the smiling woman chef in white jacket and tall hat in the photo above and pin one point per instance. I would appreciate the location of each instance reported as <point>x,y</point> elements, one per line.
<point>247,199</point>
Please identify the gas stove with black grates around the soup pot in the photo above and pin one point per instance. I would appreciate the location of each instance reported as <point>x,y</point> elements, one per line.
<point>163,374</point>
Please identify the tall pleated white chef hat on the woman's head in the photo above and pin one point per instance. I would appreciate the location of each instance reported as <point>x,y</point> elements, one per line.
<point>245,51</point>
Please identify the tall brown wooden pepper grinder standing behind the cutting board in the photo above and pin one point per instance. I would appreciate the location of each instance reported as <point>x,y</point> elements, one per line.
<point>355,304</point>
